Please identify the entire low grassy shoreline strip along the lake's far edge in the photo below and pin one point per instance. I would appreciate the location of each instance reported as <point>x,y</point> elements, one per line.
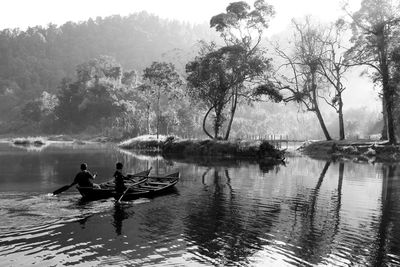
<point>363,151</point>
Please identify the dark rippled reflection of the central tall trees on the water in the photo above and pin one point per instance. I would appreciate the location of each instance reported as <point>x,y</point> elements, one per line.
<point>222,229</point>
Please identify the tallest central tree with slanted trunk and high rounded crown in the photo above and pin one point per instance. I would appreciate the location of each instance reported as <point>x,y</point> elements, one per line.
<point>243,27</point>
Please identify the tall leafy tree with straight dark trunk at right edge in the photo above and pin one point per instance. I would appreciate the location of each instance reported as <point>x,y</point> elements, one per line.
<point>375,33</point>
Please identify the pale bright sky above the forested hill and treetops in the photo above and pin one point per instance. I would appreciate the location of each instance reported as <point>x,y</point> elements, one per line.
<point>24,13</point>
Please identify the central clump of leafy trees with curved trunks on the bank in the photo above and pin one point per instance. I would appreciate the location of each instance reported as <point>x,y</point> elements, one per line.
<point>223,76</point>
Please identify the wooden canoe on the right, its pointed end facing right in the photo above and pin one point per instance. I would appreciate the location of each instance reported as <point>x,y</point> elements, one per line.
<point>153,186</point>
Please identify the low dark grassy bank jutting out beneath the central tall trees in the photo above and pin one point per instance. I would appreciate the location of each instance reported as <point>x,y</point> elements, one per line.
<point>172,146</point>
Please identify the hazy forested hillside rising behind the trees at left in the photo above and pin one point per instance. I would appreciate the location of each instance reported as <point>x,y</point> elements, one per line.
<point>37,59</point>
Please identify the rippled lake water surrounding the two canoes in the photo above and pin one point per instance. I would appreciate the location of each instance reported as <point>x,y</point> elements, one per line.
<point>227,213</point>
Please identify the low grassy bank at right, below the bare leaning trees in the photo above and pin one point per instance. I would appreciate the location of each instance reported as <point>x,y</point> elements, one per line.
<point>362,151</point>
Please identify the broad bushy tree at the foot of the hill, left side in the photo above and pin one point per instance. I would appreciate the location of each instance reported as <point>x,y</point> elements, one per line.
<point>96,95</point>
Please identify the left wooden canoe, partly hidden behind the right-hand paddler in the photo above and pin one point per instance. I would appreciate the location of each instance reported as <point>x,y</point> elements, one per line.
<point>107,189</point>
